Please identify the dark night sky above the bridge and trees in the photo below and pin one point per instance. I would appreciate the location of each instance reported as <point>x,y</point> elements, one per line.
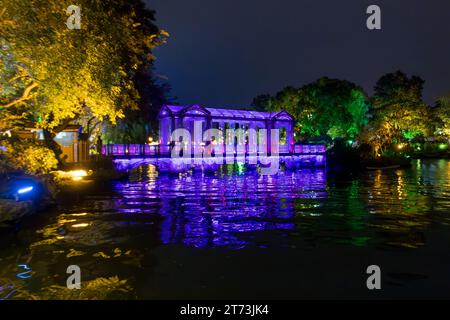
<point>225,52</point>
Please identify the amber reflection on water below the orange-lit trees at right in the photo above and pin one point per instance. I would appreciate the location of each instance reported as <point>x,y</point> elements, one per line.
<point>400,210</point>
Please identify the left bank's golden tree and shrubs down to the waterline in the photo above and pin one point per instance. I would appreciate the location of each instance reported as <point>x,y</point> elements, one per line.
<point>53,77</point>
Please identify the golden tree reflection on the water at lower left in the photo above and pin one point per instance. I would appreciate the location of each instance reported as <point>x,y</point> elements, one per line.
<point>100,241</point>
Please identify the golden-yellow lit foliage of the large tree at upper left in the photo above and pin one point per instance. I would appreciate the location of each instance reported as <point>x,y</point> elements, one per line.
<point>53,75</point>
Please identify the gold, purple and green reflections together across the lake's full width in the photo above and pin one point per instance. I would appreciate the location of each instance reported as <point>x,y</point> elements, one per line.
<point>112,234</point>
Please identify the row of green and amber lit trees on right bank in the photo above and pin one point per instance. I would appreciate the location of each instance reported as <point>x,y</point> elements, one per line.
<point>393,123</point>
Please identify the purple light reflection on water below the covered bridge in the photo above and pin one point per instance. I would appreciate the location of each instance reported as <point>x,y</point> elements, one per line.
<point>219,210</point>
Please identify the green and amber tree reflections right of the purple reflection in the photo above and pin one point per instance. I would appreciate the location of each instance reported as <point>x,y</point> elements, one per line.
<point>388,207</point>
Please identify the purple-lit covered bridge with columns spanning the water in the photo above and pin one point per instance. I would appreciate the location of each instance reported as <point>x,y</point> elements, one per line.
<point>255,149</point>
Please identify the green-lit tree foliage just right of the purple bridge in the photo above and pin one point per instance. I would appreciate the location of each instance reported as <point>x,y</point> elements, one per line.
<point>326,107</point>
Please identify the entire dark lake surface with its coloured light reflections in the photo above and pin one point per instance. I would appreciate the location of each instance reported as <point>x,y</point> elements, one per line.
<point>236,234</point>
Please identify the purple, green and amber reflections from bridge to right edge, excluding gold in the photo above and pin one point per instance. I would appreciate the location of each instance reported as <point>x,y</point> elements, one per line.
<point>233,208</point>
